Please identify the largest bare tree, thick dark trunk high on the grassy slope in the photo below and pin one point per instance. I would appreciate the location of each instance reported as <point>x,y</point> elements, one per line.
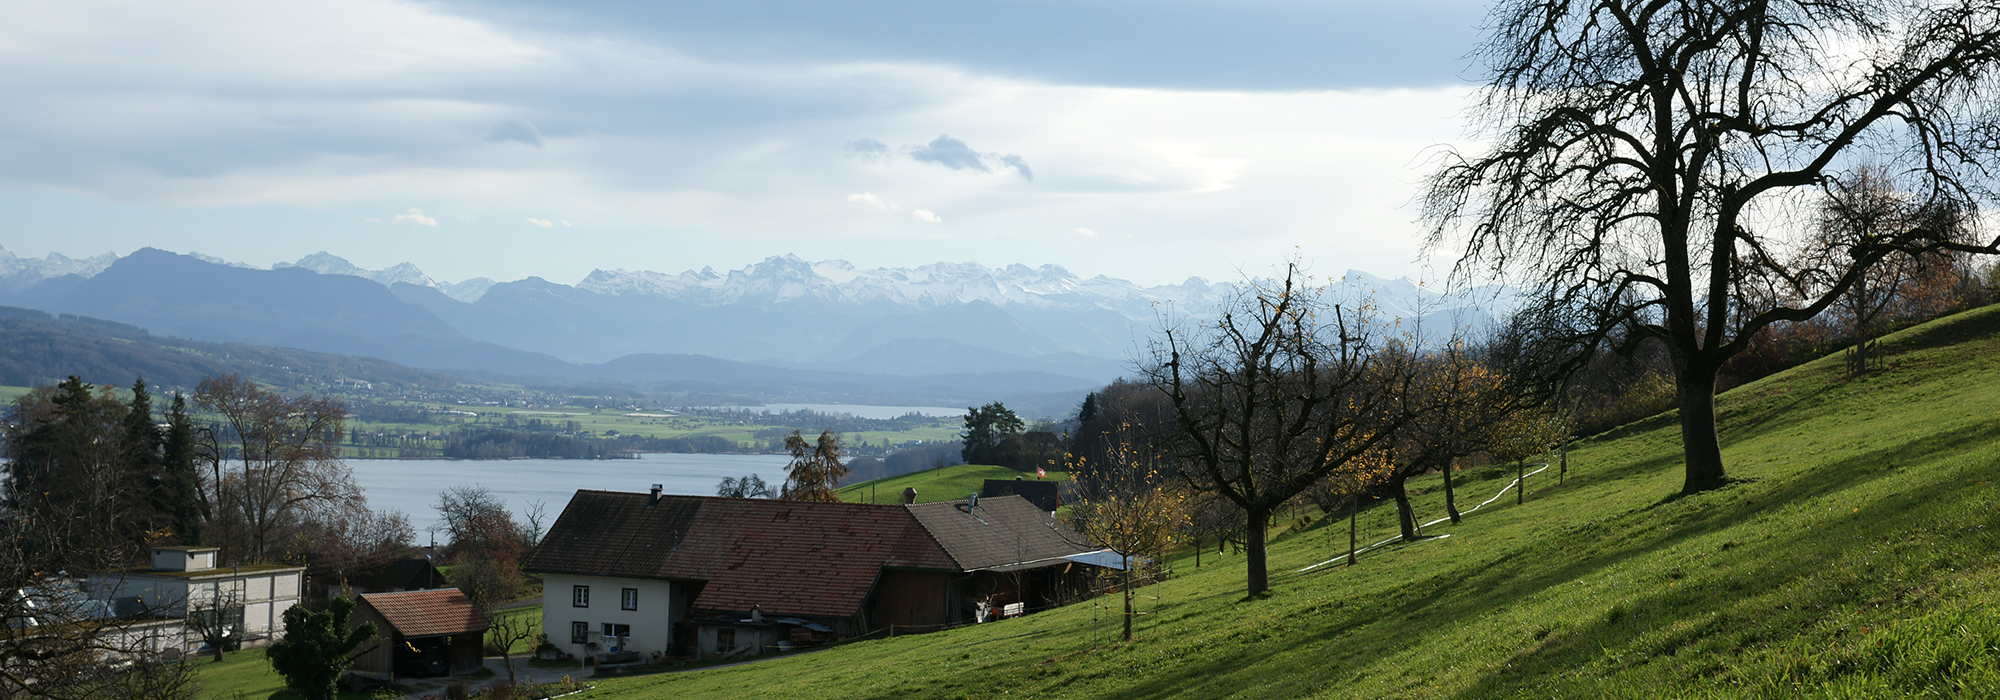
<point>1651,159</point>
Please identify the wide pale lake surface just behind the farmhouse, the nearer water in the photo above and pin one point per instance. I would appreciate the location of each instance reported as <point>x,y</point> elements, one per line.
<point>413,485</point>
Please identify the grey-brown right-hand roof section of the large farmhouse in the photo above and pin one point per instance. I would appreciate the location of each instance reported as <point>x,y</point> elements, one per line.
<point>1003,533</point>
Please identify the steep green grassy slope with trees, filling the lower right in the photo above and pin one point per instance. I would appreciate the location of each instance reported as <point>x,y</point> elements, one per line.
<point>1857,557</point>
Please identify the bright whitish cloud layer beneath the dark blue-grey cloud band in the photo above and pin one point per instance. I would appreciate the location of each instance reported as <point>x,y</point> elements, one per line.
<point>289,111</point>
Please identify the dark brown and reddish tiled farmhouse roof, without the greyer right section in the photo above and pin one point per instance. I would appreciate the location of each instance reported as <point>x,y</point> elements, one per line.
<point>785,557</point>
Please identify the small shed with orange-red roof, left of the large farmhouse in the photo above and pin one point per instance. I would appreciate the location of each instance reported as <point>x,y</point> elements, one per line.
<point>421,635</point>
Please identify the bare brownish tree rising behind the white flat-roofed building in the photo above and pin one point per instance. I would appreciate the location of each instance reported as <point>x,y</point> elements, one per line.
<point>277,459</point>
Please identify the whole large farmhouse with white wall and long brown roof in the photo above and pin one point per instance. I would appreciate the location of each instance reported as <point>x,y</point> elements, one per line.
<point>641,575</point>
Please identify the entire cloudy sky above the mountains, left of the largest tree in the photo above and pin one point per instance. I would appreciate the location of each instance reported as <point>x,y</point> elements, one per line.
<point>1149,141</point>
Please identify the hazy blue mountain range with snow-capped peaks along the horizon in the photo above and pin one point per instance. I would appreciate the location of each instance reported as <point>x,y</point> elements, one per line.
<point>941,321</point>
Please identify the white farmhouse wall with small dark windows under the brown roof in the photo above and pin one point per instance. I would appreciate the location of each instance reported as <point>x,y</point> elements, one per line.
<point>653,623</point>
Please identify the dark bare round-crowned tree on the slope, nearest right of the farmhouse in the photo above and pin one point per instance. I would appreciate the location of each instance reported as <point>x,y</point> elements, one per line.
<point>1275,395</point>
